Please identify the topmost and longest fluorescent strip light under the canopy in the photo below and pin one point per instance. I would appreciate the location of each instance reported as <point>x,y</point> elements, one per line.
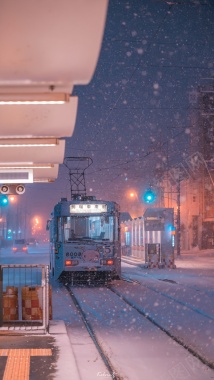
<point>34,98</point>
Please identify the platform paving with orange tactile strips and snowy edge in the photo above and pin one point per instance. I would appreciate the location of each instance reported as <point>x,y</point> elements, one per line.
<point>38,357</point>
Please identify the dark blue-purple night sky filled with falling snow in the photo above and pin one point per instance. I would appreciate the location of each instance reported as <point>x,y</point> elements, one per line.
<point>134,117</point>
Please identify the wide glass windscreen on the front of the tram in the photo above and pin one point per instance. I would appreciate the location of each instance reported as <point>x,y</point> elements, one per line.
<point>91,227</point>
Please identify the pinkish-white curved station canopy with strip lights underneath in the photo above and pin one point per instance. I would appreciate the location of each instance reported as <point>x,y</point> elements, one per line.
<point>46,48</point>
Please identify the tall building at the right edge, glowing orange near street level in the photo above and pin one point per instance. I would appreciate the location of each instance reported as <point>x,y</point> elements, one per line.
<point>189,187</point>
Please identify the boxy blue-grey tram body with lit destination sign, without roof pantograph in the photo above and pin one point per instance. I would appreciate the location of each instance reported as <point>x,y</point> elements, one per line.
<point>85,240</point>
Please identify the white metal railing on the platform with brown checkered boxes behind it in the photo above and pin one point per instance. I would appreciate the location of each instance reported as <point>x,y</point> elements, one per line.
<point>25,298</point>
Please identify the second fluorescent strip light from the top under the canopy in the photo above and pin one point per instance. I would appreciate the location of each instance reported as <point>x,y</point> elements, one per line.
<point>5,143</point>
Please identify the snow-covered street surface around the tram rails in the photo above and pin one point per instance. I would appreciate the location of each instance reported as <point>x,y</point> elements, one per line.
<point>179,309</point>
